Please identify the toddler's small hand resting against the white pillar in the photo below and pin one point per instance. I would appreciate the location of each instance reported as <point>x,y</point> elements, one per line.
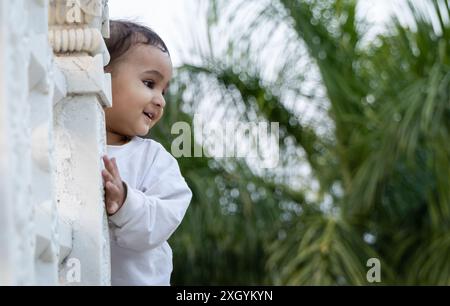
<point>115,190</point>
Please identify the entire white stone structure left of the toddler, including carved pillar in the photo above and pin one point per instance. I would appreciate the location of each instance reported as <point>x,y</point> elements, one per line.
<point>53,227</point>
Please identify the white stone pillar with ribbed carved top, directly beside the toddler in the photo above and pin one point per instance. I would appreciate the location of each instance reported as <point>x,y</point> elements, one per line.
<point>75,32</point>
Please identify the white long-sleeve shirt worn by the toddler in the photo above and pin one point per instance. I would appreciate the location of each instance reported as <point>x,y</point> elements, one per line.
<point>157,199</point>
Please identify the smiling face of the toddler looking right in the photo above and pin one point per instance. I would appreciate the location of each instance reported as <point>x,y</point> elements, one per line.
<point>139,82</point>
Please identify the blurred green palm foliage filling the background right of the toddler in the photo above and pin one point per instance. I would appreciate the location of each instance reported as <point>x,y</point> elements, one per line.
<point>376,144</point>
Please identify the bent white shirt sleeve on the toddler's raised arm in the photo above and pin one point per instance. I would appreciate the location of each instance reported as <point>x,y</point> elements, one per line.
<point>148,218</point>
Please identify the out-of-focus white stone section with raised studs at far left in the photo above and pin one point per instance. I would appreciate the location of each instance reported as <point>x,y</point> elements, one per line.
<point>32,237</point>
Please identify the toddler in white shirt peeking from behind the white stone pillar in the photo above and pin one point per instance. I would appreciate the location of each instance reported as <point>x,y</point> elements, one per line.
<point>146,196</point>
